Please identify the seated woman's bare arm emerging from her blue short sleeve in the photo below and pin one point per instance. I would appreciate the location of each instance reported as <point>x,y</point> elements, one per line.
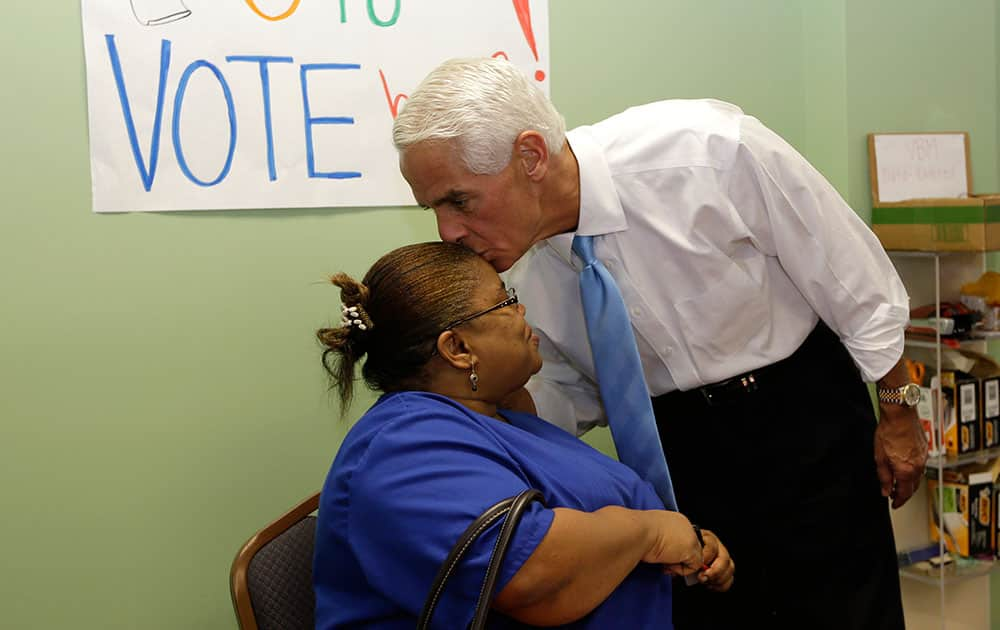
<point>586,555</point>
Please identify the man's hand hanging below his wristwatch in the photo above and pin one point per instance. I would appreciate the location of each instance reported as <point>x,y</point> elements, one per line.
<point>900,452</point>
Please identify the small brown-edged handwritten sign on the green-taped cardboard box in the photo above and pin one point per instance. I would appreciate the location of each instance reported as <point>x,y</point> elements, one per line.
<point>907,166</point>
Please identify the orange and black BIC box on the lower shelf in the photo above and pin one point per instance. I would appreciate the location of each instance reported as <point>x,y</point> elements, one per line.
<point>964,510</point>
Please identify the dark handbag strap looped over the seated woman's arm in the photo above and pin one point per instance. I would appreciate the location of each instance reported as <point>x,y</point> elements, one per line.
<point>510,510</point>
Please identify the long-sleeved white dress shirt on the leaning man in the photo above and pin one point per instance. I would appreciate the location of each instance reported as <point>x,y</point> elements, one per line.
<point>726,244</point>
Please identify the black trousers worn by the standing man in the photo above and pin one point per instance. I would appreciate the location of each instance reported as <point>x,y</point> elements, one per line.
<point>785,475</point>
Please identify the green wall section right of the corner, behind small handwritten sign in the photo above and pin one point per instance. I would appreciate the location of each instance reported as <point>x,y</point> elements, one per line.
<point>922,64</point>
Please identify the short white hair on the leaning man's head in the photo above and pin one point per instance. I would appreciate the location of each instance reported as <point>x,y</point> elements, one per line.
<point>482,105</point>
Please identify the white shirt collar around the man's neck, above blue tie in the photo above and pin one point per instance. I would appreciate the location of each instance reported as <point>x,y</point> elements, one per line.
<point>600,209</point>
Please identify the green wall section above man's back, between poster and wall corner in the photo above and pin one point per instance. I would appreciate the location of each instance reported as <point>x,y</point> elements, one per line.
<point>606,57</point>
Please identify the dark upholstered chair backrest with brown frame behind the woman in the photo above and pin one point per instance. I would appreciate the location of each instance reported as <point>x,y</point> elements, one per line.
<point>271,576</point>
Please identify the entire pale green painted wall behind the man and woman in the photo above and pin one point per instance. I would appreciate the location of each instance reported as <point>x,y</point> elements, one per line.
<point>160,391</point>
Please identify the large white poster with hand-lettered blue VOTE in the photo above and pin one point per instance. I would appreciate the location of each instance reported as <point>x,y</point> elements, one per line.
<point>219,104</point>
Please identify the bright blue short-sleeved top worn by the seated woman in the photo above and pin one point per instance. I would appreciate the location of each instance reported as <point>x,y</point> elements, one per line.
<point>412,474</point>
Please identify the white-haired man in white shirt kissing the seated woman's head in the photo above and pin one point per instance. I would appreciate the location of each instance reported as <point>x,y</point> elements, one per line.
<point>759,302</point>
